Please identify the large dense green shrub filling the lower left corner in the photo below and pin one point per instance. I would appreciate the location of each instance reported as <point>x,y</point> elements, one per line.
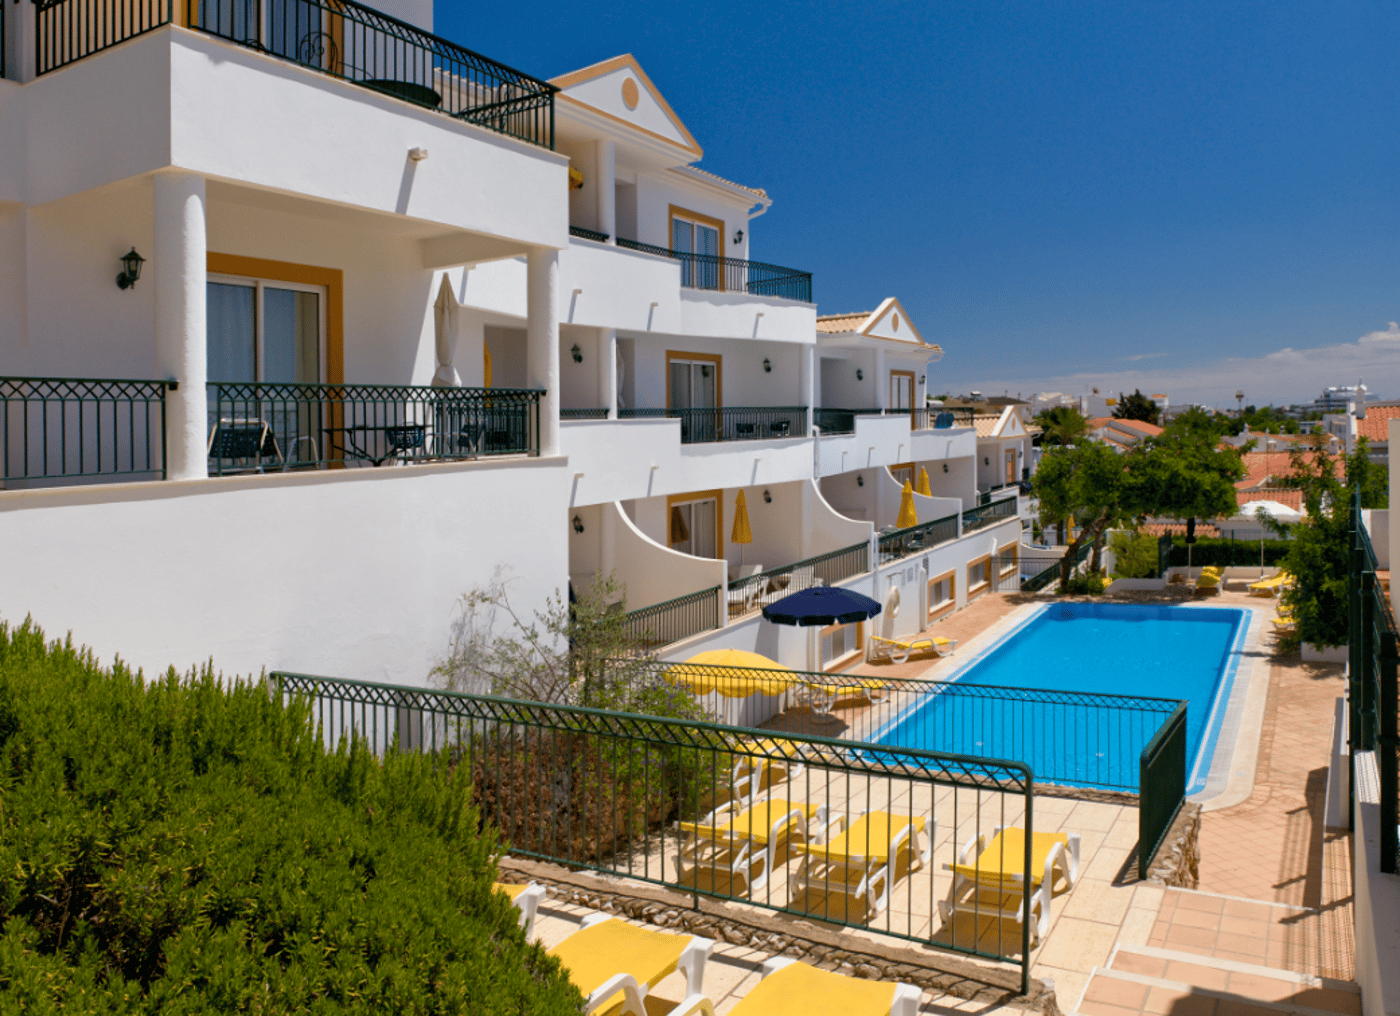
<point>181,846</point>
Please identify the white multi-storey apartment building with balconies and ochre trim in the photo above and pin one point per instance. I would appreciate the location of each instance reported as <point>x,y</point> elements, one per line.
<point>311,323</point>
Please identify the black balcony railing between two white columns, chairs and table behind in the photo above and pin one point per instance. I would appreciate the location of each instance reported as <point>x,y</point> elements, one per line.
<point>255,426</point>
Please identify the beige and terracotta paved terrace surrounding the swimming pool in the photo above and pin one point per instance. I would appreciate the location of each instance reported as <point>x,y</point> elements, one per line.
<point>1272,919</point>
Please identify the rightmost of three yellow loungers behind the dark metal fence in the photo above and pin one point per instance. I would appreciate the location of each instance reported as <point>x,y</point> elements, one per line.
<point>995,882</point>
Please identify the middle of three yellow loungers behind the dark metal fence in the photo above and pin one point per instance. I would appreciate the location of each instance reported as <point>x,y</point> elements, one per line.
<point>864,860</point>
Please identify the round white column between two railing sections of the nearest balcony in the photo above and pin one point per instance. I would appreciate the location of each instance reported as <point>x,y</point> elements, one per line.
<point>178,275</point>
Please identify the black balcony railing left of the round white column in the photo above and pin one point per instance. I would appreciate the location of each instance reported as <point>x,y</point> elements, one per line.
<point>73,428</point>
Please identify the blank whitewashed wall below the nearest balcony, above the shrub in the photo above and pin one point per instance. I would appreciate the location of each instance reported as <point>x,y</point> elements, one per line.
<point>344,573</point>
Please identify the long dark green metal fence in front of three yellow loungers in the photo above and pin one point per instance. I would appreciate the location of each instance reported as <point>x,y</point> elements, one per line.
<point>650,798</point>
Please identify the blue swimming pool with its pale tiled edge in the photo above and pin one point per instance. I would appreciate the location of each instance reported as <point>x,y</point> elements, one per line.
<point>1220,677</point>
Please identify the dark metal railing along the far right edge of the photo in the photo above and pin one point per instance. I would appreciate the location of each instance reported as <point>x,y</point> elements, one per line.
<point>1374,658</point>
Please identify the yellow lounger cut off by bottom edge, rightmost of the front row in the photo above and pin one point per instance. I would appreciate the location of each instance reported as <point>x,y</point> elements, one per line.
<point>793,987</point>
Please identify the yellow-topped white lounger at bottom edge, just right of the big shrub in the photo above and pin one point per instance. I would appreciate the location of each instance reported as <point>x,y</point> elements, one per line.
<point>611,961</point>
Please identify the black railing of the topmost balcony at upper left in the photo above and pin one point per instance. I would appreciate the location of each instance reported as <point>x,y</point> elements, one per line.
<point>339,38</point>
